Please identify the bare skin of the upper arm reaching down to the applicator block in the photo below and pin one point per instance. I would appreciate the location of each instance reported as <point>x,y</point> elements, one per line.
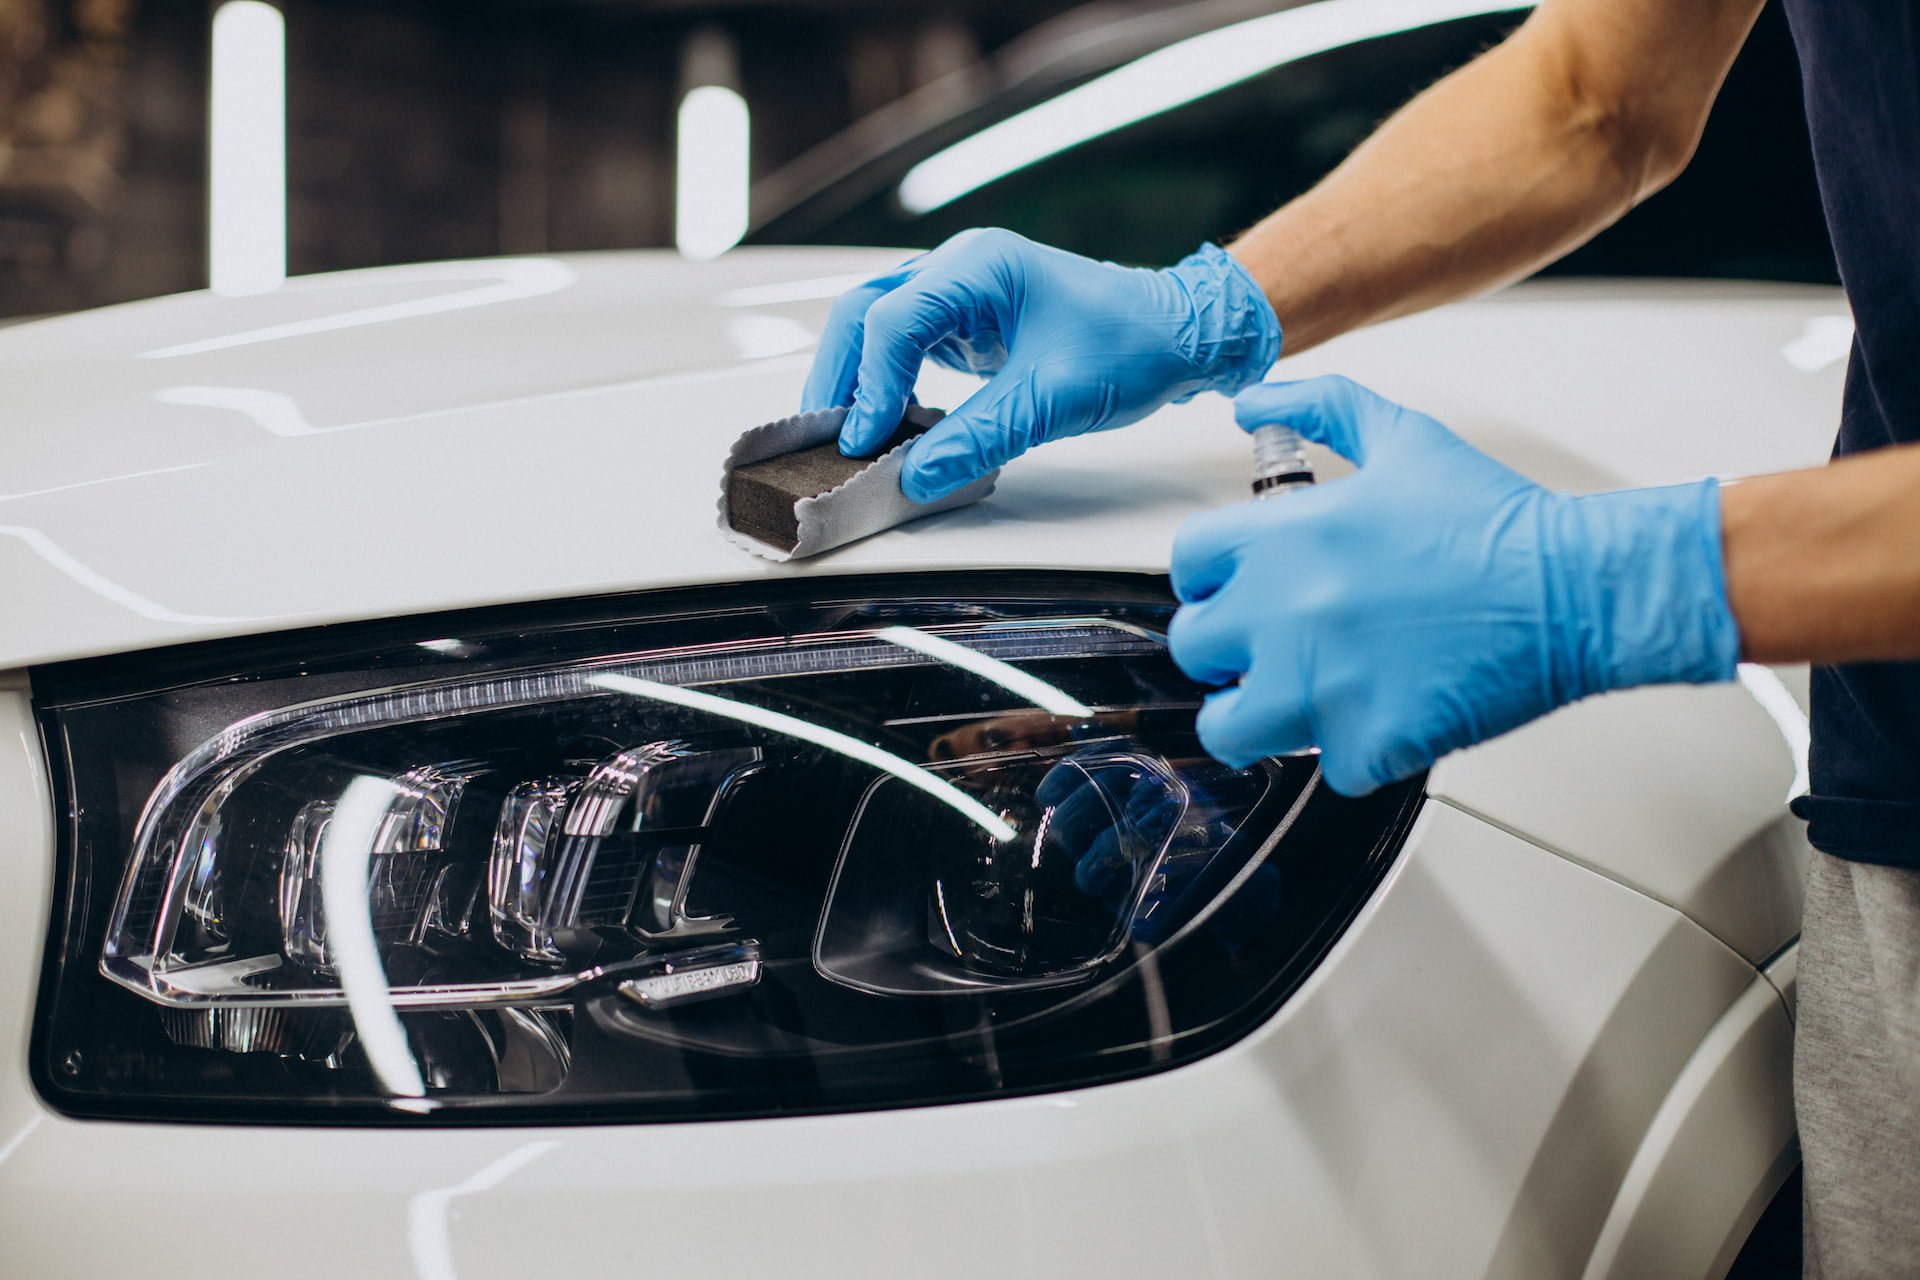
<point>1504,166</point>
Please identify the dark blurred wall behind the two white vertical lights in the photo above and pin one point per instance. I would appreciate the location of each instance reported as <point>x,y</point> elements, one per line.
<point>418,130</point>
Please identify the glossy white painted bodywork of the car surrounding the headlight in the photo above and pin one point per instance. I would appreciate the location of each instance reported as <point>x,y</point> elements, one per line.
<point>1539,1028</point>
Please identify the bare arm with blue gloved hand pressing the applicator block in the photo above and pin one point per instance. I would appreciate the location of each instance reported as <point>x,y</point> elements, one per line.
<point>1497,170</point>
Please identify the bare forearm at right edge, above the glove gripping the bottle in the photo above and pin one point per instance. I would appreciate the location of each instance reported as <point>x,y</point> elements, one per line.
<point>1825,565</point>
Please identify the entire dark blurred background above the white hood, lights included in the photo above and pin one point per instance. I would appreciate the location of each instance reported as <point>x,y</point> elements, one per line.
<point>151,147</point>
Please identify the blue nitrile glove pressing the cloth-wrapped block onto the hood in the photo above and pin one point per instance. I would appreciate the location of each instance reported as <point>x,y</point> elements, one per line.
<point>1070,344</point>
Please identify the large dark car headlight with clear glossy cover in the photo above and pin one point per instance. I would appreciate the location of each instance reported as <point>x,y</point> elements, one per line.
<point>796,847</point>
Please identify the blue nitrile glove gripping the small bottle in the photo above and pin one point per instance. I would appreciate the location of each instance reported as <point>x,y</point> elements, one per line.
<point>1435,600</point>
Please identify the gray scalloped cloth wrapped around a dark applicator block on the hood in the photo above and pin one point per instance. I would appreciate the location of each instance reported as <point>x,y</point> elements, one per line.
<point>786,490</point>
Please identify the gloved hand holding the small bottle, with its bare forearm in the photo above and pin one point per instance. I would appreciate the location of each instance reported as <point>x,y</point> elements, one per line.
<point>1437,598</point>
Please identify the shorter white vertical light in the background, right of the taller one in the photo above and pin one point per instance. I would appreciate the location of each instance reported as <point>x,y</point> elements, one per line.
<point>711,160</point>
